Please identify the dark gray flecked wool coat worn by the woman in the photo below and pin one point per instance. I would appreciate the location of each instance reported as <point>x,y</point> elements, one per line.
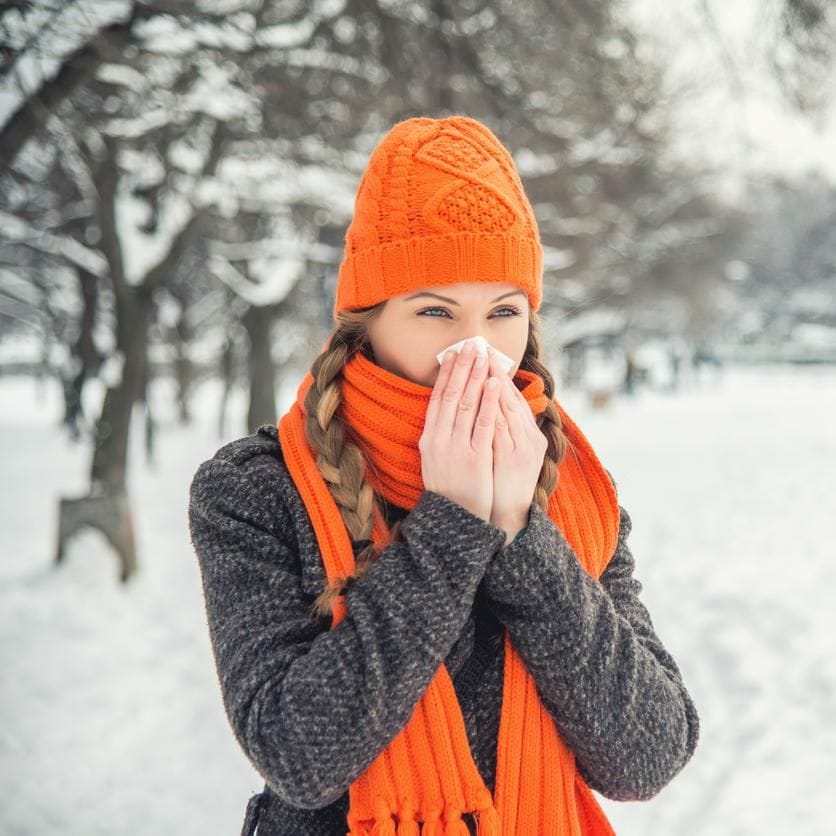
<point>312,707</point>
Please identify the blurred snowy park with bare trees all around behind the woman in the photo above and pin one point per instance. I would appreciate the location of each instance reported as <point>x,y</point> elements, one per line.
<point>176,179</point>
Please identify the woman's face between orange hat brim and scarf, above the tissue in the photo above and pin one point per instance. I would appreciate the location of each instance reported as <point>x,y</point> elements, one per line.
<point>412,328</point>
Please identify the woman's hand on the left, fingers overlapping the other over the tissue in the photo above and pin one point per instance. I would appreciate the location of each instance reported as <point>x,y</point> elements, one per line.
<point>457,443</point>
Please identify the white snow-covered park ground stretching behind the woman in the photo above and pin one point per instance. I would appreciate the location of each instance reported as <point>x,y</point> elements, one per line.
<point>112,721</point>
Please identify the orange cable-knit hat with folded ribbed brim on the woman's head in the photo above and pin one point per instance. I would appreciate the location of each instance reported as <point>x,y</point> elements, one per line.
<point>440,202</point>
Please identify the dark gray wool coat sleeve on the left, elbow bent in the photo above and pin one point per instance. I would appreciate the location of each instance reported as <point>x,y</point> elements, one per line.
<point>312,707</point>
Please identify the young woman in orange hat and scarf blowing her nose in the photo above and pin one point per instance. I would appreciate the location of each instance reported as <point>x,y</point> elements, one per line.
<point>418,585</point>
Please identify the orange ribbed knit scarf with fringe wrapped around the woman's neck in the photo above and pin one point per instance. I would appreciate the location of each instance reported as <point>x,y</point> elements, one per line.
<point>426,777</point>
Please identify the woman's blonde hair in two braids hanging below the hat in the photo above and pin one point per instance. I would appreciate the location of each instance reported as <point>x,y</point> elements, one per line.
<point>338,452</point>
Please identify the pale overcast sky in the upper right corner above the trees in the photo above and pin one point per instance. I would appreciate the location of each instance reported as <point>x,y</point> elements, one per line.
<point>735,116</point>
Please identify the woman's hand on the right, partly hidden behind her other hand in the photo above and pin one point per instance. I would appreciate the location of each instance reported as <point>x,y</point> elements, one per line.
<point>519,448</point>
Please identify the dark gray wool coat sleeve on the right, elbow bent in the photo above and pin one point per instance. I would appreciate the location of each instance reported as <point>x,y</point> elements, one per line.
<point>615,693</point>
